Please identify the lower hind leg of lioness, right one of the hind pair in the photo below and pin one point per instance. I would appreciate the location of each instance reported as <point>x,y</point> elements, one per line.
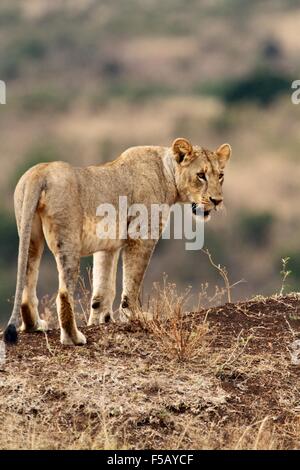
<point>68,268</point>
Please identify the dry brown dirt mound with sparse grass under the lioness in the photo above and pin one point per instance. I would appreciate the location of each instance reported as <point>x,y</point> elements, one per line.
<point>238,388</point>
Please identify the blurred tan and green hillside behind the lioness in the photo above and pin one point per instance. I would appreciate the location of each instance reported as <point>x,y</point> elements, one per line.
<point>87,79</point>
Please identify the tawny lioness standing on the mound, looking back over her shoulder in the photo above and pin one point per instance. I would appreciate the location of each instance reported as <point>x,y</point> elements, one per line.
<point>59,203</point>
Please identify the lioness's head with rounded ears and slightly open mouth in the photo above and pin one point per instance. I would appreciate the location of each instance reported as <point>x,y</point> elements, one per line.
<point>200,174</point>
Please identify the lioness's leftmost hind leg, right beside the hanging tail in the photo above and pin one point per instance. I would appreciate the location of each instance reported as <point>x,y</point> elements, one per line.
<point>31,320</point>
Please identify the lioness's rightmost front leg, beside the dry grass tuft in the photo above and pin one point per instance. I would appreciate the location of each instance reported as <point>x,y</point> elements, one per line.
<point>136,257</point>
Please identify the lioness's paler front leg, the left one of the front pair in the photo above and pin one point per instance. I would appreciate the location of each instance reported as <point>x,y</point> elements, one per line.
<point>105,265</point>
